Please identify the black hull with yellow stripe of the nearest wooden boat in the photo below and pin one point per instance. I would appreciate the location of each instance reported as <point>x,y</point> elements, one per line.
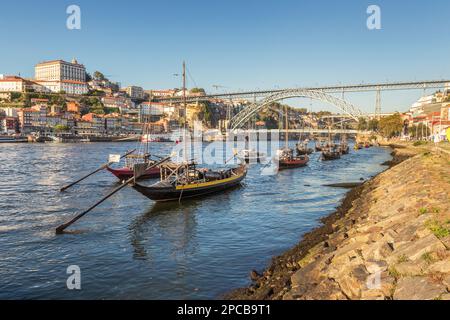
<point>172,193</point>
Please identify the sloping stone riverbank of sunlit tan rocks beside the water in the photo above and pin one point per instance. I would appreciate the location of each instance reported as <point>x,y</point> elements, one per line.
<point>389,239</point>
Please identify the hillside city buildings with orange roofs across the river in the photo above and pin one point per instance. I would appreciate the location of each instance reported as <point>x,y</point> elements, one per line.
<point>62,97</point>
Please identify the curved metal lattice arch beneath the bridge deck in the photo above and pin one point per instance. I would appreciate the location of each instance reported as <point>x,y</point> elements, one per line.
<point>243,116</point>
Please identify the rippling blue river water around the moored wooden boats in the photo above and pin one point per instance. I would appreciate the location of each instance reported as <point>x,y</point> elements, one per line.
<point>132,248</point>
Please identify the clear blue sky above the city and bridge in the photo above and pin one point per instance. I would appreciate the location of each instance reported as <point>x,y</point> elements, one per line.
<point>238,44</point>
